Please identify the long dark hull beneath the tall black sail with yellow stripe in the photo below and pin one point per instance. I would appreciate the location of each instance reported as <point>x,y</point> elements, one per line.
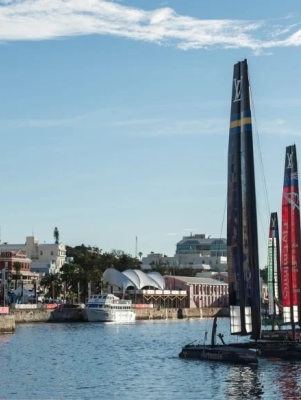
<point>219,353</point>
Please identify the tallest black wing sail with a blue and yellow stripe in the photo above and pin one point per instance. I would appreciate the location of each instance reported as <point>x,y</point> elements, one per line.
<point>242,241</point>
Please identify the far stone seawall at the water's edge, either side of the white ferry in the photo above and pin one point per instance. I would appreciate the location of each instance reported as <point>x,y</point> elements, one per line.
<point>75,314</point>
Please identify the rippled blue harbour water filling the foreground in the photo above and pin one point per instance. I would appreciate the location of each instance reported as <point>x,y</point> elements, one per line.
<point>132,361</point>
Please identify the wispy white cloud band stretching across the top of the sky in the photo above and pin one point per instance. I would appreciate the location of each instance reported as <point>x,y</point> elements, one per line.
<point>42,20</point>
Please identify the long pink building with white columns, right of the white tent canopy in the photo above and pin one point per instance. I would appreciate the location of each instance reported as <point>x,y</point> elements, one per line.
<point>202,292</point>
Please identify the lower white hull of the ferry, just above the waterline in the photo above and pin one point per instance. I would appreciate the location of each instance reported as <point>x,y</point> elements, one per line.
<point>99,315</point>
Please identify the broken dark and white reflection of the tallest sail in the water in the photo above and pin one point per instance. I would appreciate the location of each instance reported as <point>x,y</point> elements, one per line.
<point>244,382</point>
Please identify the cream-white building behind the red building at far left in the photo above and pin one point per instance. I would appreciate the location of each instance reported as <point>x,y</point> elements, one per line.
<point>46,258</point>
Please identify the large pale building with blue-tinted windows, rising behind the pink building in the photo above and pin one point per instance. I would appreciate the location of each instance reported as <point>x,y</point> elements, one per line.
<point>200,252</point>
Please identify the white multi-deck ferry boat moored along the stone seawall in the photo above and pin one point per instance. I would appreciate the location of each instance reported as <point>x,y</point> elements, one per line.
<point>108,308</point>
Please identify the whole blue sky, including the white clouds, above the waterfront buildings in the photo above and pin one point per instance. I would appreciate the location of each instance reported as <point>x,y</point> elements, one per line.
<point>114,116</point>
